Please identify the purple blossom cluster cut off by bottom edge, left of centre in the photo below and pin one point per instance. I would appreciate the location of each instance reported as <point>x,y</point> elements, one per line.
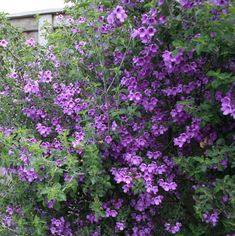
<point>59,227</point>
